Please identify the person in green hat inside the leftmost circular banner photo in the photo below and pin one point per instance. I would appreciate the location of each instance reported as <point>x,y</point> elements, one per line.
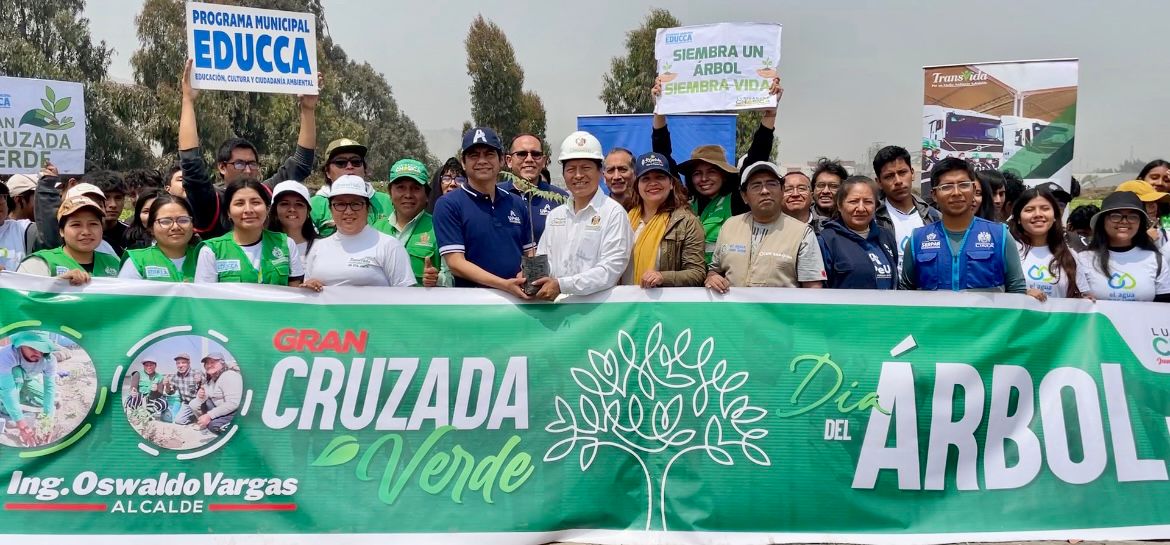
<point>29,374</point>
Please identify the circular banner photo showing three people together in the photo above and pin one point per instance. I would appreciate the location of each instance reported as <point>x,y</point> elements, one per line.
<point>183,392</point>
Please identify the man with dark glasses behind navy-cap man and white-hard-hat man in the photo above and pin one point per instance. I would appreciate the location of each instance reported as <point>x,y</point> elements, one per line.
<point>526,161</point>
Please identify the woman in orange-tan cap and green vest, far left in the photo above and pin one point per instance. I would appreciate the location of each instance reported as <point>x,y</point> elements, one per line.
<point>80,223</point>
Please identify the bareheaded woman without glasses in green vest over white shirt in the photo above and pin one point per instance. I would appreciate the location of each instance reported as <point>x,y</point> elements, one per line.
<point>250,253</point>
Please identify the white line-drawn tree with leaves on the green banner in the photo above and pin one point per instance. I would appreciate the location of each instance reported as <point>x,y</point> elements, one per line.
<point>620,391</point>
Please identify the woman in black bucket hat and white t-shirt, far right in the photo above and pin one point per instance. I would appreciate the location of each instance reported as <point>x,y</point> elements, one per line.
<point>1123,264</point>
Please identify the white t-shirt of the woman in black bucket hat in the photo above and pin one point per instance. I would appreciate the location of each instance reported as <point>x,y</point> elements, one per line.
<point>1133,275</point>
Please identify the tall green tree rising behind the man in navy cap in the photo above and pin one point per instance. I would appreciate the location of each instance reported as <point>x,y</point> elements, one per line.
<point>499,100</point>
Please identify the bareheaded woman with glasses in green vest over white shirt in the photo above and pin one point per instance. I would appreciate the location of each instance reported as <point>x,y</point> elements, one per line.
<point>174,256</point>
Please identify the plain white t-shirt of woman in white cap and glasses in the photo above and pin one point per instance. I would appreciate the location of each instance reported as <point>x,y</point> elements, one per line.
<point>369,258</point>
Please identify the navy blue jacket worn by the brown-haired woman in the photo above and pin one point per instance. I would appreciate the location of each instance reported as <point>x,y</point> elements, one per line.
<point>857,264</point>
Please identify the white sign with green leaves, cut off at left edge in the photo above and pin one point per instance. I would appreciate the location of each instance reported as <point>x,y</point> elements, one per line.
<point>42,121</point>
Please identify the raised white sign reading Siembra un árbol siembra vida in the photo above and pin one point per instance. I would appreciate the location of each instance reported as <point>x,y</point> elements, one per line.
<point>718,67</point>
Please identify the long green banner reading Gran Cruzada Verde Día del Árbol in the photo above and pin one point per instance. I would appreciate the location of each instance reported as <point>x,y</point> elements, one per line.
<point>408,416</point>
